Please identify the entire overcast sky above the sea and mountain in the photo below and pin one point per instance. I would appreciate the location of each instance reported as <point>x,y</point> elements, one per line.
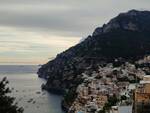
<point>35,31</point>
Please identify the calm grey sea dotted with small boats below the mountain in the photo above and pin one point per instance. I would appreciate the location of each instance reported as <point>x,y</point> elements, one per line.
<point>27,89</point>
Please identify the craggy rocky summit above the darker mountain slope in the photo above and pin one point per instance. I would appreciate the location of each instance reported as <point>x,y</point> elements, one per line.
<point>133,20</point>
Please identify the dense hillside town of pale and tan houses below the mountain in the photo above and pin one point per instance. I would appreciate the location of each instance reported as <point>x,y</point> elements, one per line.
<point>111,88</point>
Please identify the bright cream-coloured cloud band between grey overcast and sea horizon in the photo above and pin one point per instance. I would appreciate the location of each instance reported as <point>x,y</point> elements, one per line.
<point>31,46</point>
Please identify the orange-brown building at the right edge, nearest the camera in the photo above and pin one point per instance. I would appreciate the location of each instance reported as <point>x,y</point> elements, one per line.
<point>141,100</point>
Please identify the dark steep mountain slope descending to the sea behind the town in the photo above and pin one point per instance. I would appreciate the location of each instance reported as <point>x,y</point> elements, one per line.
<point>126,37</point>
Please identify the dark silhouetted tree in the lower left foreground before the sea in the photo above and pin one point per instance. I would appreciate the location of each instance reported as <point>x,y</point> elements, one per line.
<point>7,104</point>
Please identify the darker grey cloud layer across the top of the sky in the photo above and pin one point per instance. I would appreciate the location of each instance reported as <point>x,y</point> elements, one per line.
<point>65,17</point>
